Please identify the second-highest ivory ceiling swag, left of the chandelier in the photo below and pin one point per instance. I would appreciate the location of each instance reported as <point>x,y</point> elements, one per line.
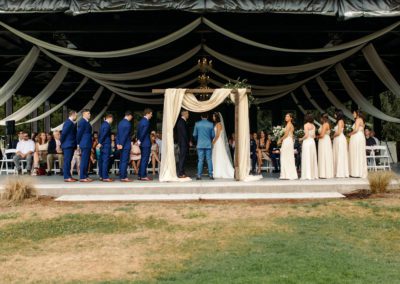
<point>126,76</point>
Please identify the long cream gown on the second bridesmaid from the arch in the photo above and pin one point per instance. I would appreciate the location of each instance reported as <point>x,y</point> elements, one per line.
<point>309,165</point>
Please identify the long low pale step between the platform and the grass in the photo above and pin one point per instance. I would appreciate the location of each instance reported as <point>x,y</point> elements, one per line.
<point>198,197</point>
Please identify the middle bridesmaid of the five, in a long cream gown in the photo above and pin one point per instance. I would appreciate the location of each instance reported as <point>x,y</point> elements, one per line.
<point>325,153</point>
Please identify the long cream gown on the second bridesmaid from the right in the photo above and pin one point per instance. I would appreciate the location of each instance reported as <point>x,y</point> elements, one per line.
<point>340,156</point>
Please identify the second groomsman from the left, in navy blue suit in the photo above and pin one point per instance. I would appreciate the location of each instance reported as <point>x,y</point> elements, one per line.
<point>84,141</point>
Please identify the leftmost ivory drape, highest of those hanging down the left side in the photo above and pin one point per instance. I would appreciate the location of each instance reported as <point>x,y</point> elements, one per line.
<point>19,76</point>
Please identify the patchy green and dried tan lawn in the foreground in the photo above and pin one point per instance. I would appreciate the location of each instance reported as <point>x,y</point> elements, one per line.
<point>347,241</point>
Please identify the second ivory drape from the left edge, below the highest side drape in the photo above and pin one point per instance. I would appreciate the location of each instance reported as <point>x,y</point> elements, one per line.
<point>50,88</point>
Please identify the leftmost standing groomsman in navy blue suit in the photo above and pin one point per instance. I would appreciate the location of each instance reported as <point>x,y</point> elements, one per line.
<point>68,144</point>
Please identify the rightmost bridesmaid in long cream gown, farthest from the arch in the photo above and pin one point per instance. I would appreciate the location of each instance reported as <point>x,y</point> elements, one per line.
<point>357,152</point>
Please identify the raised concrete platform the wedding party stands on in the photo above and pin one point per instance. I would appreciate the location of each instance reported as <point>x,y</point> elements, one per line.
<point>55,187</point>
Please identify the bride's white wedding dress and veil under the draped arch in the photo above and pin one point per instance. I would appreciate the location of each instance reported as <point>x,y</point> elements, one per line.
<point>222,163</point>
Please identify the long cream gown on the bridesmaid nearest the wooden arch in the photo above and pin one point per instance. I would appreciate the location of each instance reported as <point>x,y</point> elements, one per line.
<point>288,166</point>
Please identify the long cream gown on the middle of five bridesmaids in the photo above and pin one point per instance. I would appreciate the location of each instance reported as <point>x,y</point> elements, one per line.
<point>325,157</point>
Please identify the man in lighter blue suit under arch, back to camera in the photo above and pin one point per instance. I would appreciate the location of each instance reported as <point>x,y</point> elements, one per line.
<point>204,134</point>
